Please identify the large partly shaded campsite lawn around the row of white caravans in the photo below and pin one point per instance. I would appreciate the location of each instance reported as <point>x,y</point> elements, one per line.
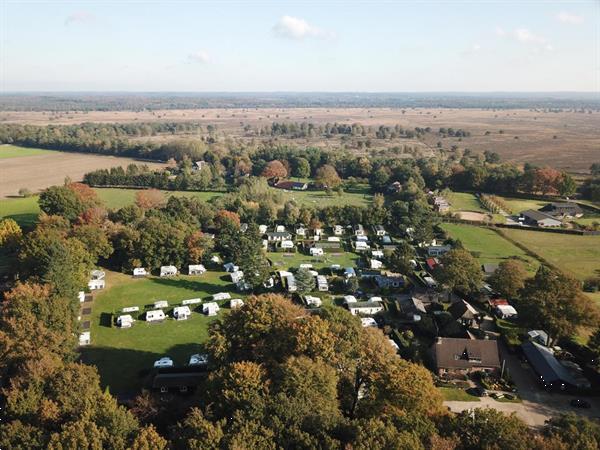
<point>125,356</point>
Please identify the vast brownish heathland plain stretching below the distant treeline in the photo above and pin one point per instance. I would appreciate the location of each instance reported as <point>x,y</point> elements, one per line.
<point>566,140</point>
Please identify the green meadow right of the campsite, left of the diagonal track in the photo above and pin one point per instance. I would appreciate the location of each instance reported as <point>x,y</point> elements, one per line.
<point>487,245</point>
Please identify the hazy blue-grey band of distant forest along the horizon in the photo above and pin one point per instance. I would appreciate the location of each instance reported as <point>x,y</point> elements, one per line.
<point>150,101</point>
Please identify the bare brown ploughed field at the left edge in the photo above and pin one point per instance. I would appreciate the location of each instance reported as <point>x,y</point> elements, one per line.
<point>38,172</point>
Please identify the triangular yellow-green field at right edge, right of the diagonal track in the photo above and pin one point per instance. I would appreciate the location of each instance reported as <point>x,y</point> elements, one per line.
<point>576,255</point>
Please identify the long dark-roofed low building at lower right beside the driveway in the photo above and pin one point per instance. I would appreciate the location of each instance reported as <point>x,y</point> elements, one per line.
<point>553,374</point>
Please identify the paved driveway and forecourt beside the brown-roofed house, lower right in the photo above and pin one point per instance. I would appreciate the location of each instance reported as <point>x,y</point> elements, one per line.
<point>537,406</point>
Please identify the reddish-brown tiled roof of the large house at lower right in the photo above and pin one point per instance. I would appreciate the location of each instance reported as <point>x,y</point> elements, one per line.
<point>457,353</point>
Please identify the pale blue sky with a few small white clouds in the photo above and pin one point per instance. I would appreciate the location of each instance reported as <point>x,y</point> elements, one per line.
<point>251,46</point>
